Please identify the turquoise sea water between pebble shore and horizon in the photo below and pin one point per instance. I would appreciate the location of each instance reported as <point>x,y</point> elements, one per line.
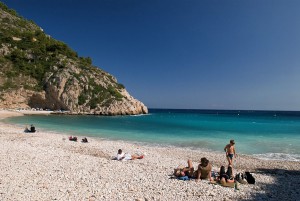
<point>265,134</point>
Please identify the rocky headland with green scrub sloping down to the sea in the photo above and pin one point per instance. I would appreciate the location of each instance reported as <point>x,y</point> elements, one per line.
<point>40,72</point>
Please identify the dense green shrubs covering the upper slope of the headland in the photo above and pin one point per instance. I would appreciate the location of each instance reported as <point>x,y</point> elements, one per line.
<point>33,52</point>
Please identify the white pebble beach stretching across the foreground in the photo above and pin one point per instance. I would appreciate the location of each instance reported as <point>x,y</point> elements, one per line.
<point>47,166</point>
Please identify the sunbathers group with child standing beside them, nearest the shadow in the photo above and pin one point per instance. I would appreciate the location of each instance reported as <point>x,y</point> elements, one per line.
<point>204,170</point>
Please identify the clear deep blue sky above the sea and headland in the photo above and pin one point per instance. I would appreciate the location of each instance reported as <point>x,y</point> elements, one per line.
<point>194,54</point>
